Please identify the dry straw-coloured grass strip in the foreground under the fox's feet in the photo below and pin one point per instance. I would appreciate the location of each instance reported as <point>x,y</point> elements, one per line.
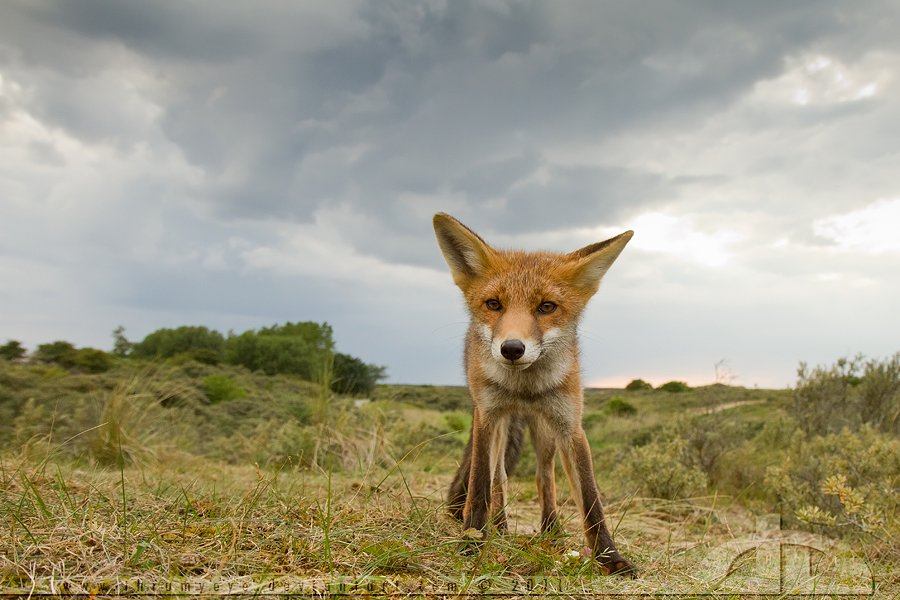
<point>188,524</point>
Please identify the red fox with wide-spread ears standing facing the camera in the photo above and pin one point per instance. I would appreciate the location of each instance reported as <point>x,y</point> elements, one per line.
<point>521,362</point>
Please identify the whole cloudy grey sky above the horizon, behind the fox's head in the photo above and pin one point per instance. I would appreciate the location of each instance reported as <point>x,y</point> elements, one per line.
<point>235,165</point>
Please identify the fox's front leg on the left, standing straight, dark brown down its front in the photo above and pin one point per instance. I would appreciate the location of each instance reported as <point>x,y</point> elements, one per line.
<point>487,437</point>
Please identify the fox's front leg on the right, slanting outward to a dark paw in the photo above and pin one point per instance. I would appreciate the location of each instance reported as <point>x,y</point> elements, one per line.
<point>576,457</point>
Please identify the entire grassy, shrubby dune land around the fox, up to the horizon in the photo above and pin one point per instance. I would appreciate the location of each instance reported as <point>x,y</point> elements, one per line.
<point>200,472</point>
